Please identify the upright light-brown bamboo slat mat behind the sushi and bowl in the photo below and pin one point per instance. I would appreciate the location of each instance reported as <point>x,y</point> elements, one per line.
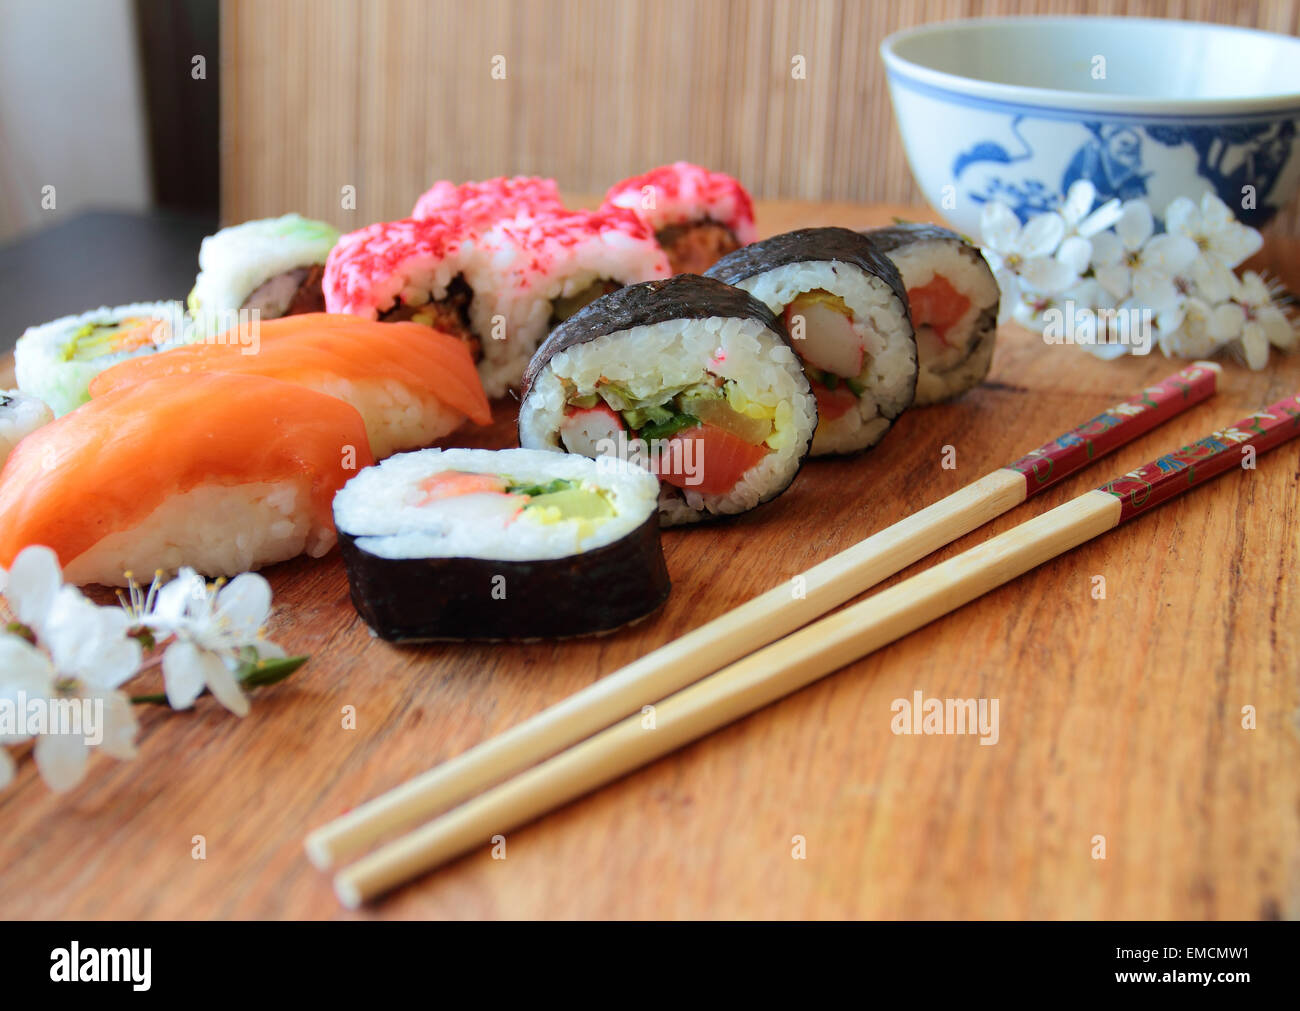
<point>388,96</point>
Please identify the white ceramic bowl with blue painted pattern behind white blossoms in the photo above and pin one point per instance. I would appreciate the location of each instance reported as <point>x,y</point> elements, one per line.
<point>1017,110</point>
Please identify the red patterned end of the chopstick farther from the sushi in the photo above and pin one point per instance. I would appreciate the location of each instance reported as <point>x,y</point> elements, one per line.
<point>1220,452</point>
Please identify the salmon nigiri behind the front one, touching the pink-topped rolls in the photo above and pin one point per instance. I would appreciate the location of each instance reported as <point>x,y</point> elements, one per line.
<point>413,385</point>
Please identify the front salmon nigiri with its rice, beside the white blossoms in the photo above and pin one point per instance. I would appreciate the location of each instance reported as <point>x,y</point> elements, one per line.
<point>222,474</point>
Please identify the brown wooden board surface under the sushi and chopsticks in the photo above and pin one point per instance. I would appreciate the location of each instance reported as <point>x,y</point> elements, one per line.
<point>1120,718</point>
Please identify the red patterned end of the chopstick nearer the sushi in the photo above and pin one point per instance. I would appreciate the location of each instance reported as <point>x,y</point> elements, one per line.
<point>1115,427</point>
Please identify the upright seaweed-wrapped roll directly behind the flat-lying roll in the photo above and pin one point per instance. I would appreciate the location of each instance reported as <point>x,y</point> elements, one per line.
<point>690,378</point>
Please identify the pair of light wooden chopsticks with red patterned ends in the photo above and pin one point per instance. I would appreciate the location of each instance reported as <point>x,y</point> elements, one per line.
<point>755,654</point>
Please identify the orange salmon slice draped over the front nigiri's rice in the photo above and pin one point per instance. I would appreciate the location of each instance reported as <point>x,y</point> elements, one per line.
<point>106,467</point>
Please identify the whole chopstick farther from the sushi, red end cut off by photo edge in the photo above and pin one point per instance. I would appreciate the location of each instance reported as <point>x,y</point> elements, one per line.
<point>807,656</point>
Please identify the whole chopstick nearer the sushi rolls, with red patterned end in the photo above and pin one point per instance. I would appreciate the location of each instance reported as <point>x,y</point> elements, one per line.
<point>760,622</point>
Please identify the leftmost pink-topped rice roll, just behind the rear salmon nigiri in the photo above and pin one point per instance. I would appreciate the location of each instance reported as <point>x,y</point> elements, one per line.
<point>426,272</point>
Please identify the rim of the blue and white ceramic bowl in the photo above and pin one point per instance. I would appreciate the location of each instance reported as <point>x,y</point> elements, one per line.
<point>911,73</point>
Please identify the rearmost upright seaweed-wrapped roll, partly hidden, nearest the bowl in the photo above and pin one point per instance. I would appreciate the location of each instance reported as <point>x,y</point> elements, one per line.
<point>954,298</point>
